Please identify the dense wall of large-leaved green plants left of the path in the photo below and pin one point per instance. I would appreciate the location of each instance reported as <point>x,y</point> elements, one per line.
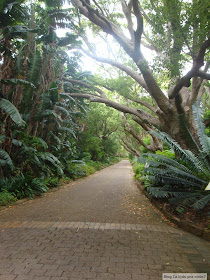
<point>39,123</point>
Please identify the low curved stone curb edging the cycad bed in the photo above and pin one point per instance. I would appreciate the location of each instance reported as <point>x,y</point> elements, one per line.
<point>201,232</point>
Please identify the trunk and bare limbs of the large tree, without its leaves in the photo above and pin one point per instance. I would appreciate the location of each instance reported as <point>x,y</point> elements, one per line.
<point>173,114</point>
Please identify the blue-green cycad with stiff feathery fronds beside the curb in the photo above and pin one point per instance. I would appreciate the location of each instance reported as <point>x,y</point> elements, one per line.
<point>182,181</point>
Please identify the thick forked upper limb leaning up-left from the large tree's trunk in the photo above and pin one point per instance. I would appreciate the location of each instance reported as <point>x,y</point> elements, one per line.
<point>112,29</point>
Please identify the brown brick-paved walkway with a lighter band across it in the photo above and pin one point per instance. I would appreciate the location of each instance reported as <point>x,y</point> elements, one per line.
<point>96,228</point>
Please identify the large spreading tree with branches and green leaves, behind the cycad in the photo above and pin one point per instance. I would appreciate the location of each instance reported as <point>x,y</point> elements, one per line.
<point>177,31</point>
